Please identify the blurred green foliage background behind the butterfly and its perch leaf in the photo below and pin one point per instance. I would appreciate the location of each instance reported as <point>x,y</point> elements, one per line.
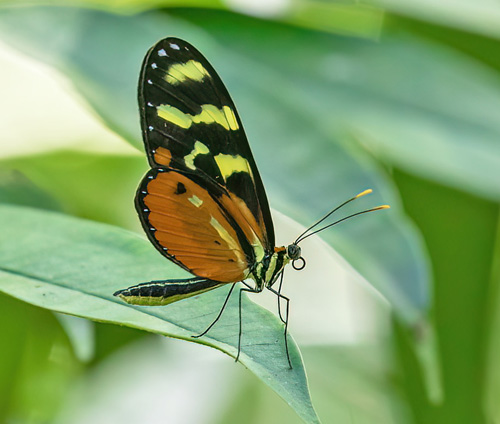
<point>396,315</point>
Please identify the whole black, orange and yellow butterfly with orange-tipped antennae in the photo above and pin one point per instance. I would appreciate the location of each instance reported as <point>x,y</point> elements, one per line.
<point>203,204</point>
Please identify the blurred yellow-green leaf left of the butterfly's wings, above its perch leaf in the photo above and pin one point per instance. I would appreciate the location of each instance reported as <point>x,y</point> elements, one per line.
<point>101,187</point>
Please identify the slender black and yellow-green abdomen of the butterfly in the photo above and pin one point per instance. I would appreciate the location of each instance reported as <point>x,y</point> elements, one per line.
<point>157,293</point>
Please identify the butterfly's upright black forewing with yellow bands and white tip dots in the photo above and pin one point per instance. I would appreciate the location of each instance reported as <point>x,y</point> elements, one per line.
<point>190,124</point>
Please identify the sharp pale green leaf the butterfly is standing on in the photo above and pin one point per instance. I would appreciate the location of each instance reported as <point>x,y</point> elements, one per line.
<point>74,266</point>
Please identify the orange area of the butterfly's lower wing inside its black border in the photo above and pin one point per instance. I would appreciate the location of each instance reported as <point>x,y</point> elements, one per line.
<point>192,226</point>
